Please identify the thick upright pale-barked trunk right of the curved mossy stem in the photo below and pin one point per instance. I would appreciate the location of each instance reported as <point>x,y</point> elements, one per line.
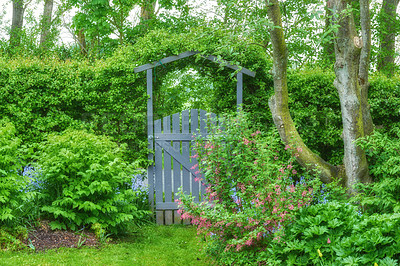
<point>349,62</point>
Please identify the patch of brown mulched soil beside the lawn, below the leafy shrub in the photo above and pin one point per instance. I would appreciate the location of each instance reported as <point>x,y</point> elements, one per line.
<point>43,238</point>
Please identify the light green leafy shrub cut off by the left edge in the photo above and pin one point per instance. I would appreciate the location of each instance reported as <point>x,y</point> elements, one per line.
<point>10,181</point>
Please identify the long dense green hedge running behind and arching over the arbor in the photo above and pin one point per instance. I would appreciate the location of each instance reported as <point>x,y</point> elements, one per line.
<point>47,95</point>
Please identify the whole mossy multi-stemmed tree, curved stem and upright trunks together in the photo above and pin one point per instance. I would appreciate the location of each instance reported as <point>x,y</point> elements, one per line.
<point>351,68</point>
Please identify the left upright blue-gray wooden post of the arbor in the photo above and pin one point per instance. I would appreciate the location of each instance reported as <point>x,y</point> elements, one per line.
<point>150,169</point>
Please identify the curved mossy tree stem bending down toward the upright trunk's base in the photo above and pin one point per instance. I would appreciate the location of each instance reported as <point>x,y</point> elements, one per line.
<point>279,103</point>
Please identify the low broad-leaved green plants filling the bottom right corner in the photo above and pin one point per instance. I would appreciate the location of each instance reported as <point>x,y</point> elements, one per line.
<point>342,234</point>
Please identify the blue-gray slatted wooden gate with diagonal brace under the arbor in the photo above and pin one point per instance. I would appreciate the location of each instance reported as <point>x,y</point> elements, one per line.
<point>174,163</point>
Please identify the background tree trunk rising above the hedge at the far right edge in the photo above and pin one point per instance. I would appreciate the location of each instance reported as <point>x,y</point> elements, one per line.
<point>387,36</point>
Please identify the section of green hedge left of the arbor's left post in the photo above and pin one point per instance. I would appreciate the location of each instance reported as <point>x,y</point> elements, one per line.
<point>41,96</point>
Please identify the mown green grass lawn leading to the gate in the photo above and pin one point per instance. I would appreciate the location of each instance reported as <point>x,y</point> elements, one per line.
<point>151,245</point>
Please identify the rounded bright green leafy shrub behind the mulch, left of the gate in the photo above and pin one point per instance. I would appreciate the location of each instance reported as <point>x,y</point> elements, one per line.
<point>86,181</point>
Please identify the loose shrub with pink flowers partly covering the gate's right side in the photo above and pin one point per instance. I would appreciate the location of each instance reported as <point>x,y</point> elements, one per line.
<point>253,188</point>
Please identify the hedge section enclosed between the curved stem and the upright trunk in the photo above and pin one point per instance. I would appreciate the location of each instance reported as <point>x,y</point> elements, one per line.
<point>315,108</point>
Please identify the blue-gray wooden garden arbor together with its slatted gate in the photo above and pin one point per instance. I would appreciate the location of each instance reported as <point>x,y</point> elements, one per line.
<point>163,184</point>
